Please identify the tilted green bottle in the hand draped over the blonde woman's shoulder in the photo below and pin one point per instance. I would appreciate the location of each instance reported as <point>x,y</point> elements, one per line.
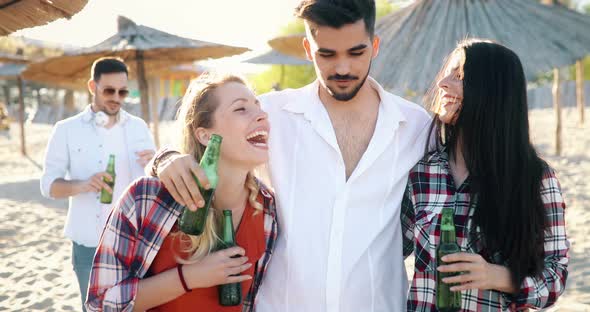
<point>193,222</point>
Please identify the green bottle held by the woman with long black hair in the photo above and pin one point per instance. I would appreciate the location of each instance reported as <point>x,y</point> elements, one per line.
<point>447,300</point>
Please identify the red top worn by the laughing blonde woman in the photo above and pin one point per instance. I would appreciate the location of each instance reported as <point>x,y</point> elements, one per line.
<point>250,236</point>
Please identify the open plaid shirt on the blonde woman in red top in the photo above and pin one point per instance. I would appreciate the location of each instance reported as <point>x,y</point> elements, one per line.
<point>134,233</point>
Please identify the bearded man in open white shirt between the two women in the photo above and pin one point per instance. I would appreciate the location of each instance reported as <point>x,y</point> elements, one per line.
<point>340,152</point>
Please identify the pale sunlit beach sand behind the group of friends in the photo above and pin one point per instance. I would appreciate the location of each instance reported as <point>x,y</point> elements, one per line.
<point>35,265</point>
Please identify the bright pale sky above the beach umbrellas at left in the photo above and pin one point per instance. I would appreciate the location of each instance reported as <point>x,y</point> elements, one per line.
<point>247,23</point>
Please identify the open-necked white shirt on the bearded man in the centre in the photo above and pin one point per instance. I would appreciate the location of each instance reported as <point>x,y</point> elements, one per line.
<point>340,243</point>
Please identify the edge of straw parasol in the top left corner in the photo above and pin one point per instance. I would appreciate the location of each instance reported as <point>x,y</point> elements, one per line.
<point>19,14</point>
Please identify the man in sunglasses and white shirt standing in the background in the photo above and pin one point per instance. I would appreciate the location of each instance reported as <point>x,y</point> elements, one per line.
<point>77,155</point>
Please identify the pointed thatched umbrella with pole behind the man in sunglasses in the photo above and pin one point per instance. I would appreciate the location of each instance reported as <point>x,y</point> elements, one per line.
<point>144,49</point>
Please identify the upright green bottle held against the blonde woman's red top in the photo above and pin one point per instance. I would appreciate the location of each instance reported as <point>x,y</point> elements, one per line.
<point>229,294</point>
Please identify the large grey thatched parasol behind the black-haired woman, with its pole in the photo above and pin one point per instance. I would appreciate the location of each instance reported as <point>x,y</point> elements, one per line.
<point>415,39</point>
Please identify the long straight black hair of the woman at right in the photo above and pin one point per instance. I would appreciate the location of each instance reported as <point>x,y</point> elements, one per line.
<point>492,132</point>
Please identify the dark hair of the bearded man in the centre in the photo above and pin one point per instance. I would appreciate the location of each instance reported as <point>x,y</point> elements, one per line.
<point>337,13</point>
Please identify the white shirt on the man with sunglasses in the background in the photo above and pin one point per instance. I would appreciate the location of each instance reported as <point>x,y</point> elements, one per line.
<point>76,151</point>
